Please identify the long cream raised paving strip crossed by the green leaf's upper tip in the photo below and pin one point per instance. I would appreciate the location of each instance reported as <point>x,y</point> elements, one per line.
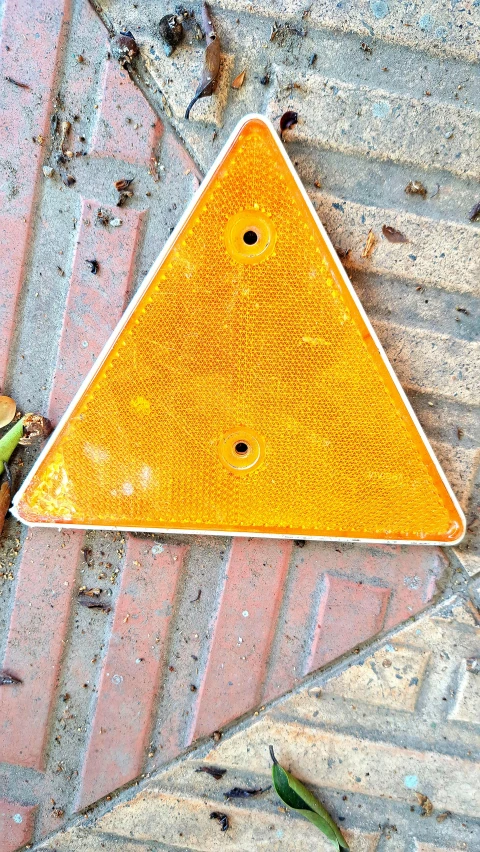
<point>373,768</point>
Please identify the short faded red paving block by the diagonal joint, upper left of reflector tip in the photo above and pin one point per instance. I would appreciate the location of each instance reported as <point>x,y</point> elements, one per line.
<point>126,127</point>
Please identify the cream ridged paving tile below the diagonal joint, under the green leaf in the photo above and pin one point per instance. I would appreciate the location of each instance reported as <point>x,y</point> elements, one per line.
<point>370,738</point>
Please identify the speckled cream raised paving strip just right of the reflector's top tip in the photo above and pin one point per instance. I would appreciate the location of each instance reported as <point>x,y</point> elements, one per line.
<point>355,120</point>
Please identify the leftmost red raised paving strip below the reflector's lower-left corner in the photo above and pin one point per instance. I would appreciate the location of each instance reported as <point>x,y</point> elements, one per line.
<point>35,643</point>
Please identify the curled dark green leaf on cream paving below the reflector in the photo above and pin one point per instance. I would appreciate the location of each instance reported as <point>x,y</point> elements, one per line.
<point>295,795</point>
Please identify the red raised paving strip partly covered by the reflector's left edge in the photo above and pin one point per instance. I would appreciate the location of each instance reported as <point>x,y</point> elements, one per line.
<point>95,302</point>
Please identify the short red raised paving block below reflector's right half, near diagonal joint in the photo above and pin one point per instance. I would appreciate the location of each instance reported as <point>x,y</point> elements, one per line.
<point>348,613</point>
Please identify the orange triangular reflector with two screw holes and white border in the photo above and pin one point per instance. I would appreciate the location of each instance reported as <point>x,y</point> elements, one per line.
<point>244,390</point>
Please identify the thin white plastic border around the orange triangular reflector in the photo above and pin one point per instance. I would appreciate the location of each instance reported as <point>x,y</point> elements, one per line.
<point>131,308</point>
